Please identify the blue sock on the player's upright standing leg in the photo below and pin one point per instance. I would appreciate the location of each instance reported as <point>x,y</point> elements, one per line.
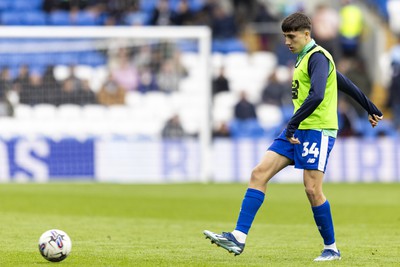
<point>323,219</point>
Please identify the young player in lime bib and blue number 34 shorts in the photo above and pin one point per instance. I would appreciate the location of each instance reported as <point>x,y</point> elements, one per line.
<point>307,140</point>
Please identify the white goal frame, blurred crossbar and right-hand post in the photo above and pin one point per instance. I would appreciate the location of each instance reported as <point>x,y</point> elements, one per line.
<point>201,33</point>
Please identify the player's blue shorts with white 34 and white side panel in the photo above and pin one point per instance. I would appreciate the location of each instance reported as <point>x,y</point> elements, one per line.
<point>311,154</point>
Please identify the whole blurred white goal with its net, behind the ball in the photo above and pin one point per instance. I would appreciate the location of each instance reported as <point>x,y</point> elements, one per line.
<point>118,104</point>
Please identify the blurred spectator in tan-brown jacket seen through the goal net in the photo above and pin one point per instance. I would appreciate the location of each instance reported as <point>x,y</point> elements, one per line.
<point>111,93</point>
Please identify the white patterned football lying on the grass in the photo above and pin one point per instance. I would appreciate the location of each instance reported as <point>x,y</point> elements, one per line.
<point>54,245</point>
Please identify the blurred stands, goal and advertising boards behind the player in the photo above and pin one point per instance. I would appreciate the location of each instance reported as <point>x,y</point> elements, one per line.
<point>108,107</point>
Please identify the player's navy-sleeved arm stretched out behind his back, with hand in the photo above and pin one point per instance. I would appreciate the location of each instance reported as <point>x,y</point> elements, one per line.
<point>349,88</point>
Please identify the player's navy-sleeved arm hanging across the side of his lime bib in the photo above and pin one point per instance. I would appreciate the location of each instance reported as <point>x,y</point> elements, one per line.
<point>318,70</point>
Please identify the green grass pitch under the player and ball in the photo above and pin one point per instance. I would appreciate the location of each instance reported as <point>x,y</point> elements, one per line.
<point>161,225</point>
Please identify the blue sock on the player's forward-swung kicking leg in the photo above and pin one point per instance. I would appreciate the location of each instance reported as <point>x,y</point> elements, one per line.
<point>251,203</point>
